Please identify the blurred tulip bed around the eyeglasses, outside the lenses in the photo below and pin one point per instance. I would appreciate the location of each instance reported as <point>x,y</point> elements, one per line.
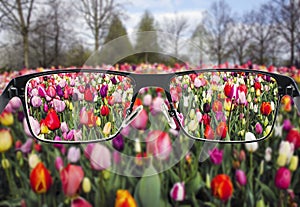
<point>111,174</point>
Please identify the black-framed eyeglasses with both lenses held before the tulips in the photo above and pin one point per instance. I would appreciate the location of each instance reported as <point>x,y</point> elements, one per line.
<point>215,105</point>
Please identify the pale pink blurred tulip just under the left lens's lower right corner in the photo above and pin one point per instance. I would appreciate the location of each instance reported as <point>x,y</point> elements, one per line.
<point>100,157</point>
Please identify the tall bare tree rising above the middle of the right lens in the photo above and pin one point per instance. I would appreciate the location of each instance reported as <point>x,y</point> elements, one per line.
<point>217,25</point>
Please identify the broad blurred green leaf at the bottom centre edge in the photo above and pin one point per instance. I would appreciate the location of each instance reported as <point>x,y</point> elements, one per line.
<point>147,193</point>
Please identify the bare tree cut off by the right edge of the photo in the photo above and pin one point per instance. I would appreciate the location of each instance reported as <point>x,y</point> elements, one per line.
<point>286,14</point>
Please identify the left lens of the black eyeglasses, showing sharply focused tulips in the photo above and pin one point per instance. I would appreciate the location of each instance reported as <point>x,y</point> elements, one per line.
<point>77,106</point>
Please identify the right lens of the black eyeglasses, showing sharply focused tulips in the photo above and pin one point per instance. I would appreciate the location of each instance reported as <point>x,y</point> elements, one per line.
<point>227,106</point>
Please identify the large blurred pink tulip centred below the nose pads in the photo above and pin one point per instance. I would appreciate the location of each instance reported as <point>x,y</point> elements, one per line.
<point>159,144</point>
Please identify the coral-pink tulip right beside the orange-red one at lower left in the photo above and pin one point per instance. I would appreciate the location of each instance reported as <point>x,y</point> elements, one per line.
<point>71,177</point>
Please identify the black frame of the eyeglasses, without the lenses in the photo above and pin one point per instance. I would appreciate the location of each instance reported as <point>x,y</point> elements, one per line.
<point>19,83</point>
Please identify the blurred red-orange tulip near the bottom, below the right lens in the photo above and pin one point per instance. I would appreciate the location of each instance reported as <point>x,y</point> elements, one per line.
<point>221,187</point>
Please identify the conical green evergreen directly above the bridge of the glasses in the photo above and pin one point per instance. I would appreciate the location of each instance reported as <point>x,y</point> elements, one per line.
<point>147,42</point>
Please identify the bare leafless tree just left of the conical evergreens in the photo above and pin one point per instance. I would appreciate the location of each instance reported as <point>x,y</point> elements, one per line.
<point>98,14</point>
